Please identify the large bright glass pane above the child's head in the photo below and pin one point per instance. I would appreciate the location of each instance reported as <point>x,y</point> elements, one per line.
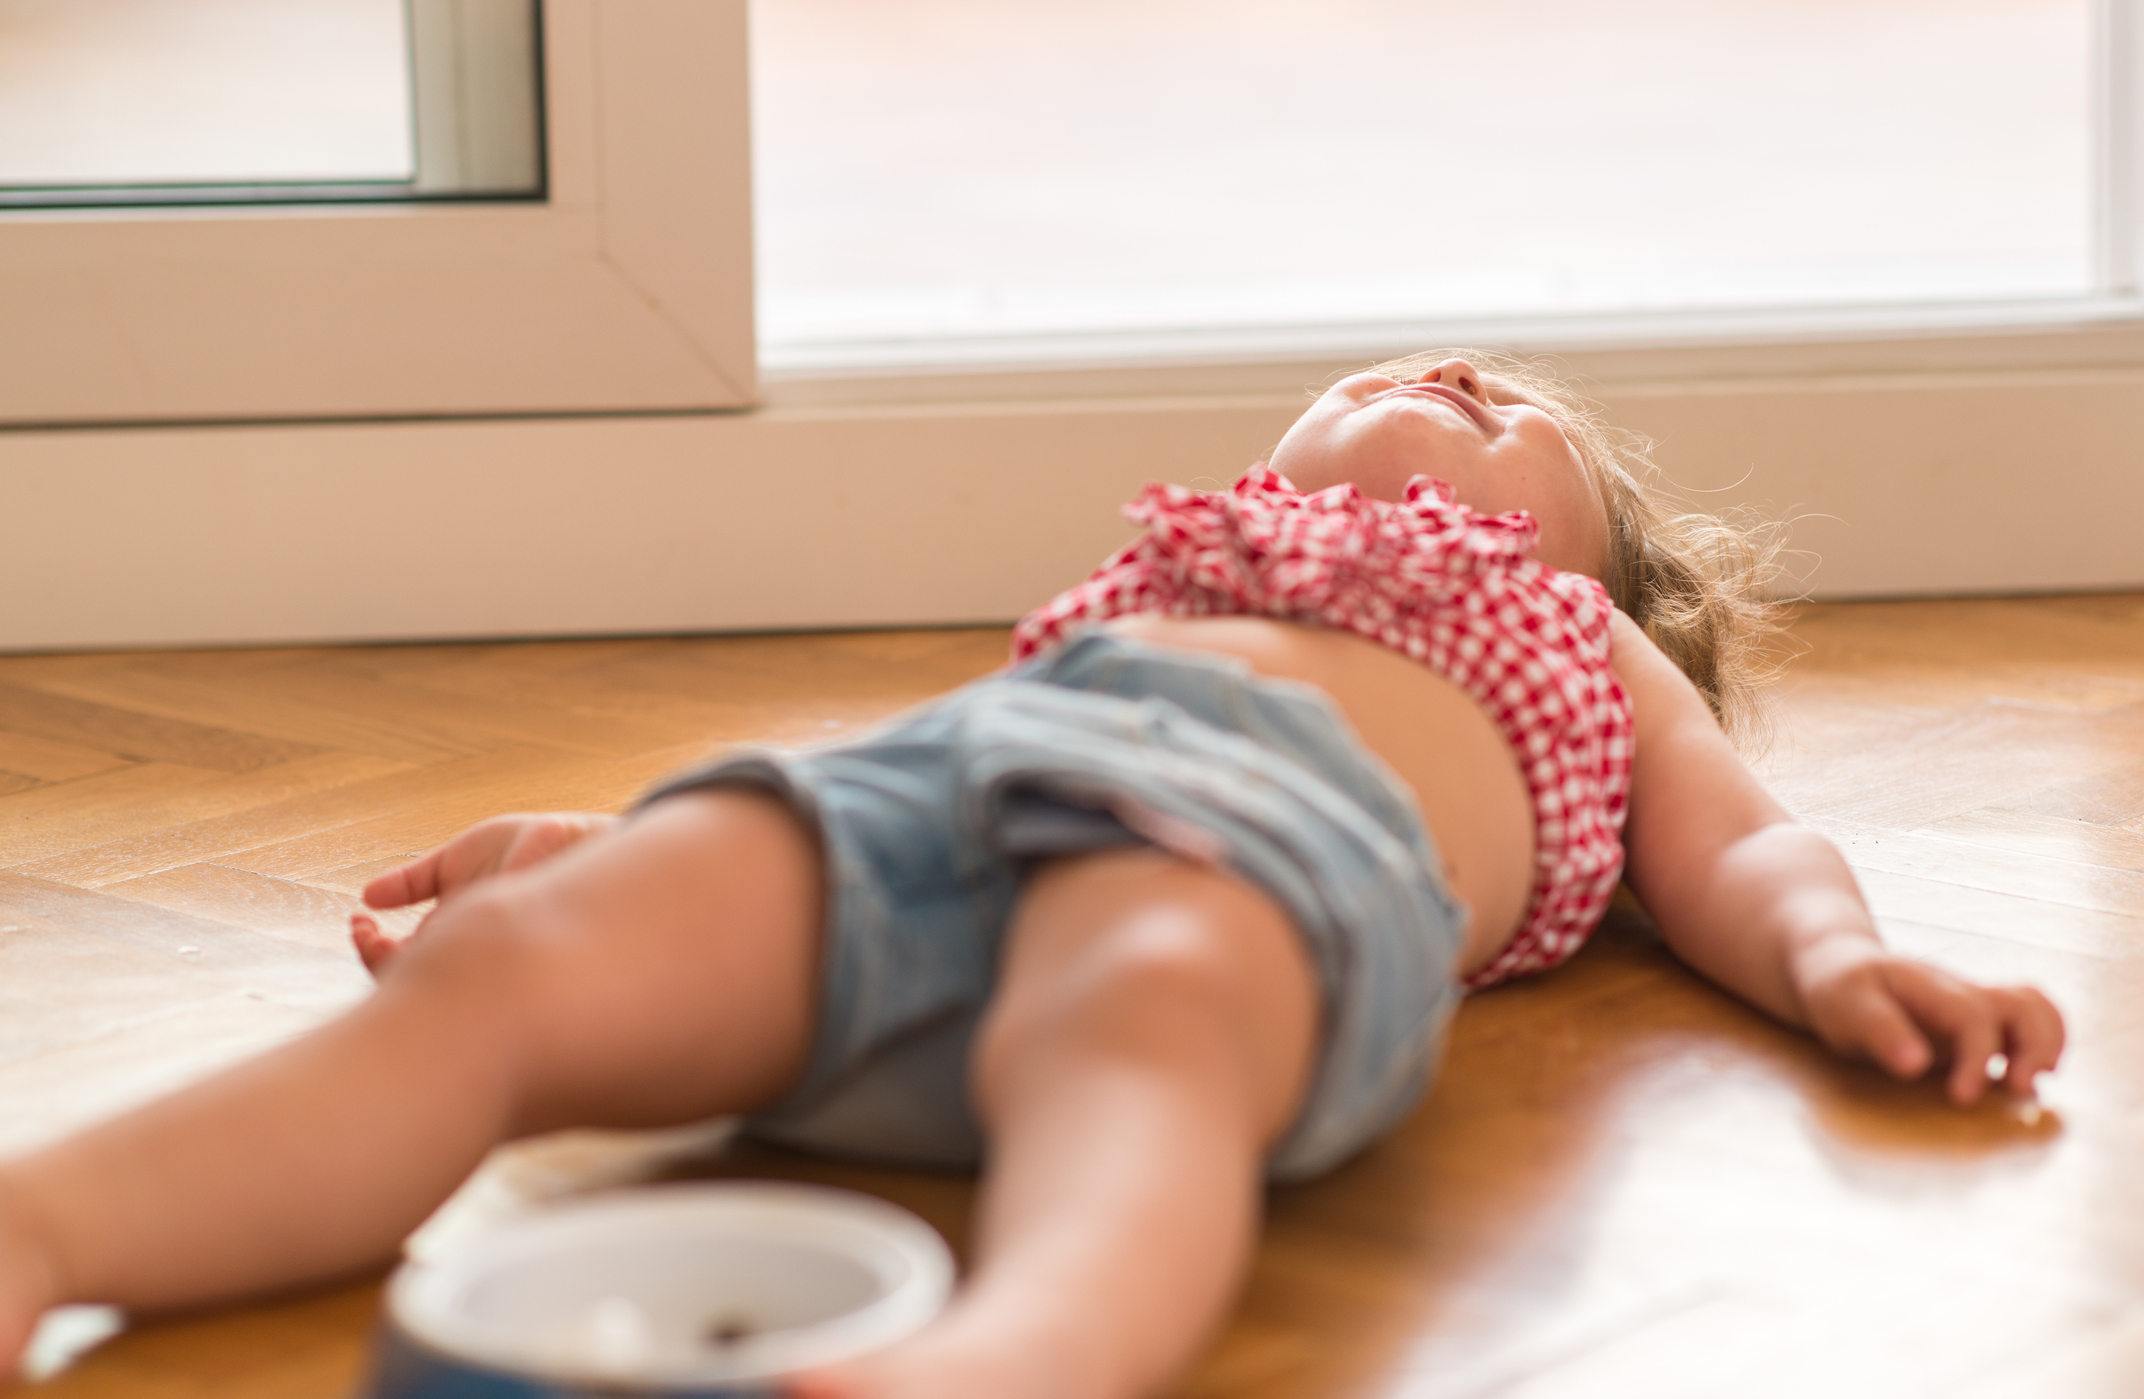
<point>947,168</point>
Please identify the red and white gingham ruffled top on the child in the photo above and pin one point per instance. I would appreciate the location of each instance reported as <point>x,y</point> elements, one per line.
<point>1440,584</point>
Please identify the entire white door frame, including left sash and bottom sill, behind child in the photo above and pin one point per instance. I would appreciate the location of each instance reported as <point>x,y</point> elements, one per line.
<point>522,421</point>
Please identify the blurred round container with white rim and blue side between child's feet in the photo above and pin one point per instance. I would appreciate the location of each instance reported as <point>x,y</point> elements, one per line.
<point>676,1291</point>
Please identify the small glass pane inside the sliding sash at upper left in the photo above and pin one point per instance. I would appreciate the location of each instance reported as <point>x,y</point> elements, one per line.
<point>267,100</point>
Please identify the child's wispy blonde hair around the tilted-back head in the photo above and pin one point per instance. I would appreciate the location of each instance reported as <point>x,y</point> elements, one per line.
<point>1697,584</point>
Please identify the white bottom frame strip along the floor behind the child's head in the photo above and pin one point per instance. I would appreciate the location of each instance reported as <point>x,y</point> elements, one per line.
<point>835,517</point>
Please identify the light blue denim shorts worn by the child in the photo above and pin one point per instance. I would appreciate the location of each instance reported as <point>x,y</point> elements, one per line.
<point>932,822</point>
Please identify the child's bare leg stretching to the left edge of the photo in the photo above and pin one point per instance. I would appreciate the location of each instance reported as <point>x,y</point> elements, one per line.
<point>644,978</point>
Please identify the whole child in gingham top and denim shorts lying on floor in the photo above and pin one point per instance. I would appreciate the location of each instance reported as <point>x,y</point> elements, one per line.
<point>1176,905</point>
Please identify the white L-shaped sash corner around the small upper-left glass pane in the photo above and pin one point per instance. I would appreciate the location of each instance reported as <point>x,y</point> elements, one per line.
<point>627,290</point>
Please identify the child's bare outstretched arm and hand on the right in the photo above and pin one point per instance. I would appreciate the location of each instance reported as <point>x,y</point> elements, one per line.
<point>1770,909</point>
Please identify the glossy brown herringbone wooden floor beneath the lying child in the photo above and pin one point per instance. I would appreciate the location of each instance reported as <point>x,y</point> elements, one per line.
<point>1622,1186</point>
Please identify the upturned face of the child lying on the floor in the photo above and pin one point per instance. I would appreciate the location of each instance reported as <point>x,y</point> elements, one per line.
<point>1498,449</point>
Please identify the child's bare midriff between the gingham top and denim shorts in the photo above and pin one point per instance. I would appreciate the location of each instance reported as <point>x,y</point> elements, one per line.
<point>1429,732</point>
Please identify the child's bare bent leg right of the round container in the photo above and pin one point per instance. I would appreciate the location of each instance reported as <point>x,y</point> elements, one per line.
<point>1152,1036</point>
